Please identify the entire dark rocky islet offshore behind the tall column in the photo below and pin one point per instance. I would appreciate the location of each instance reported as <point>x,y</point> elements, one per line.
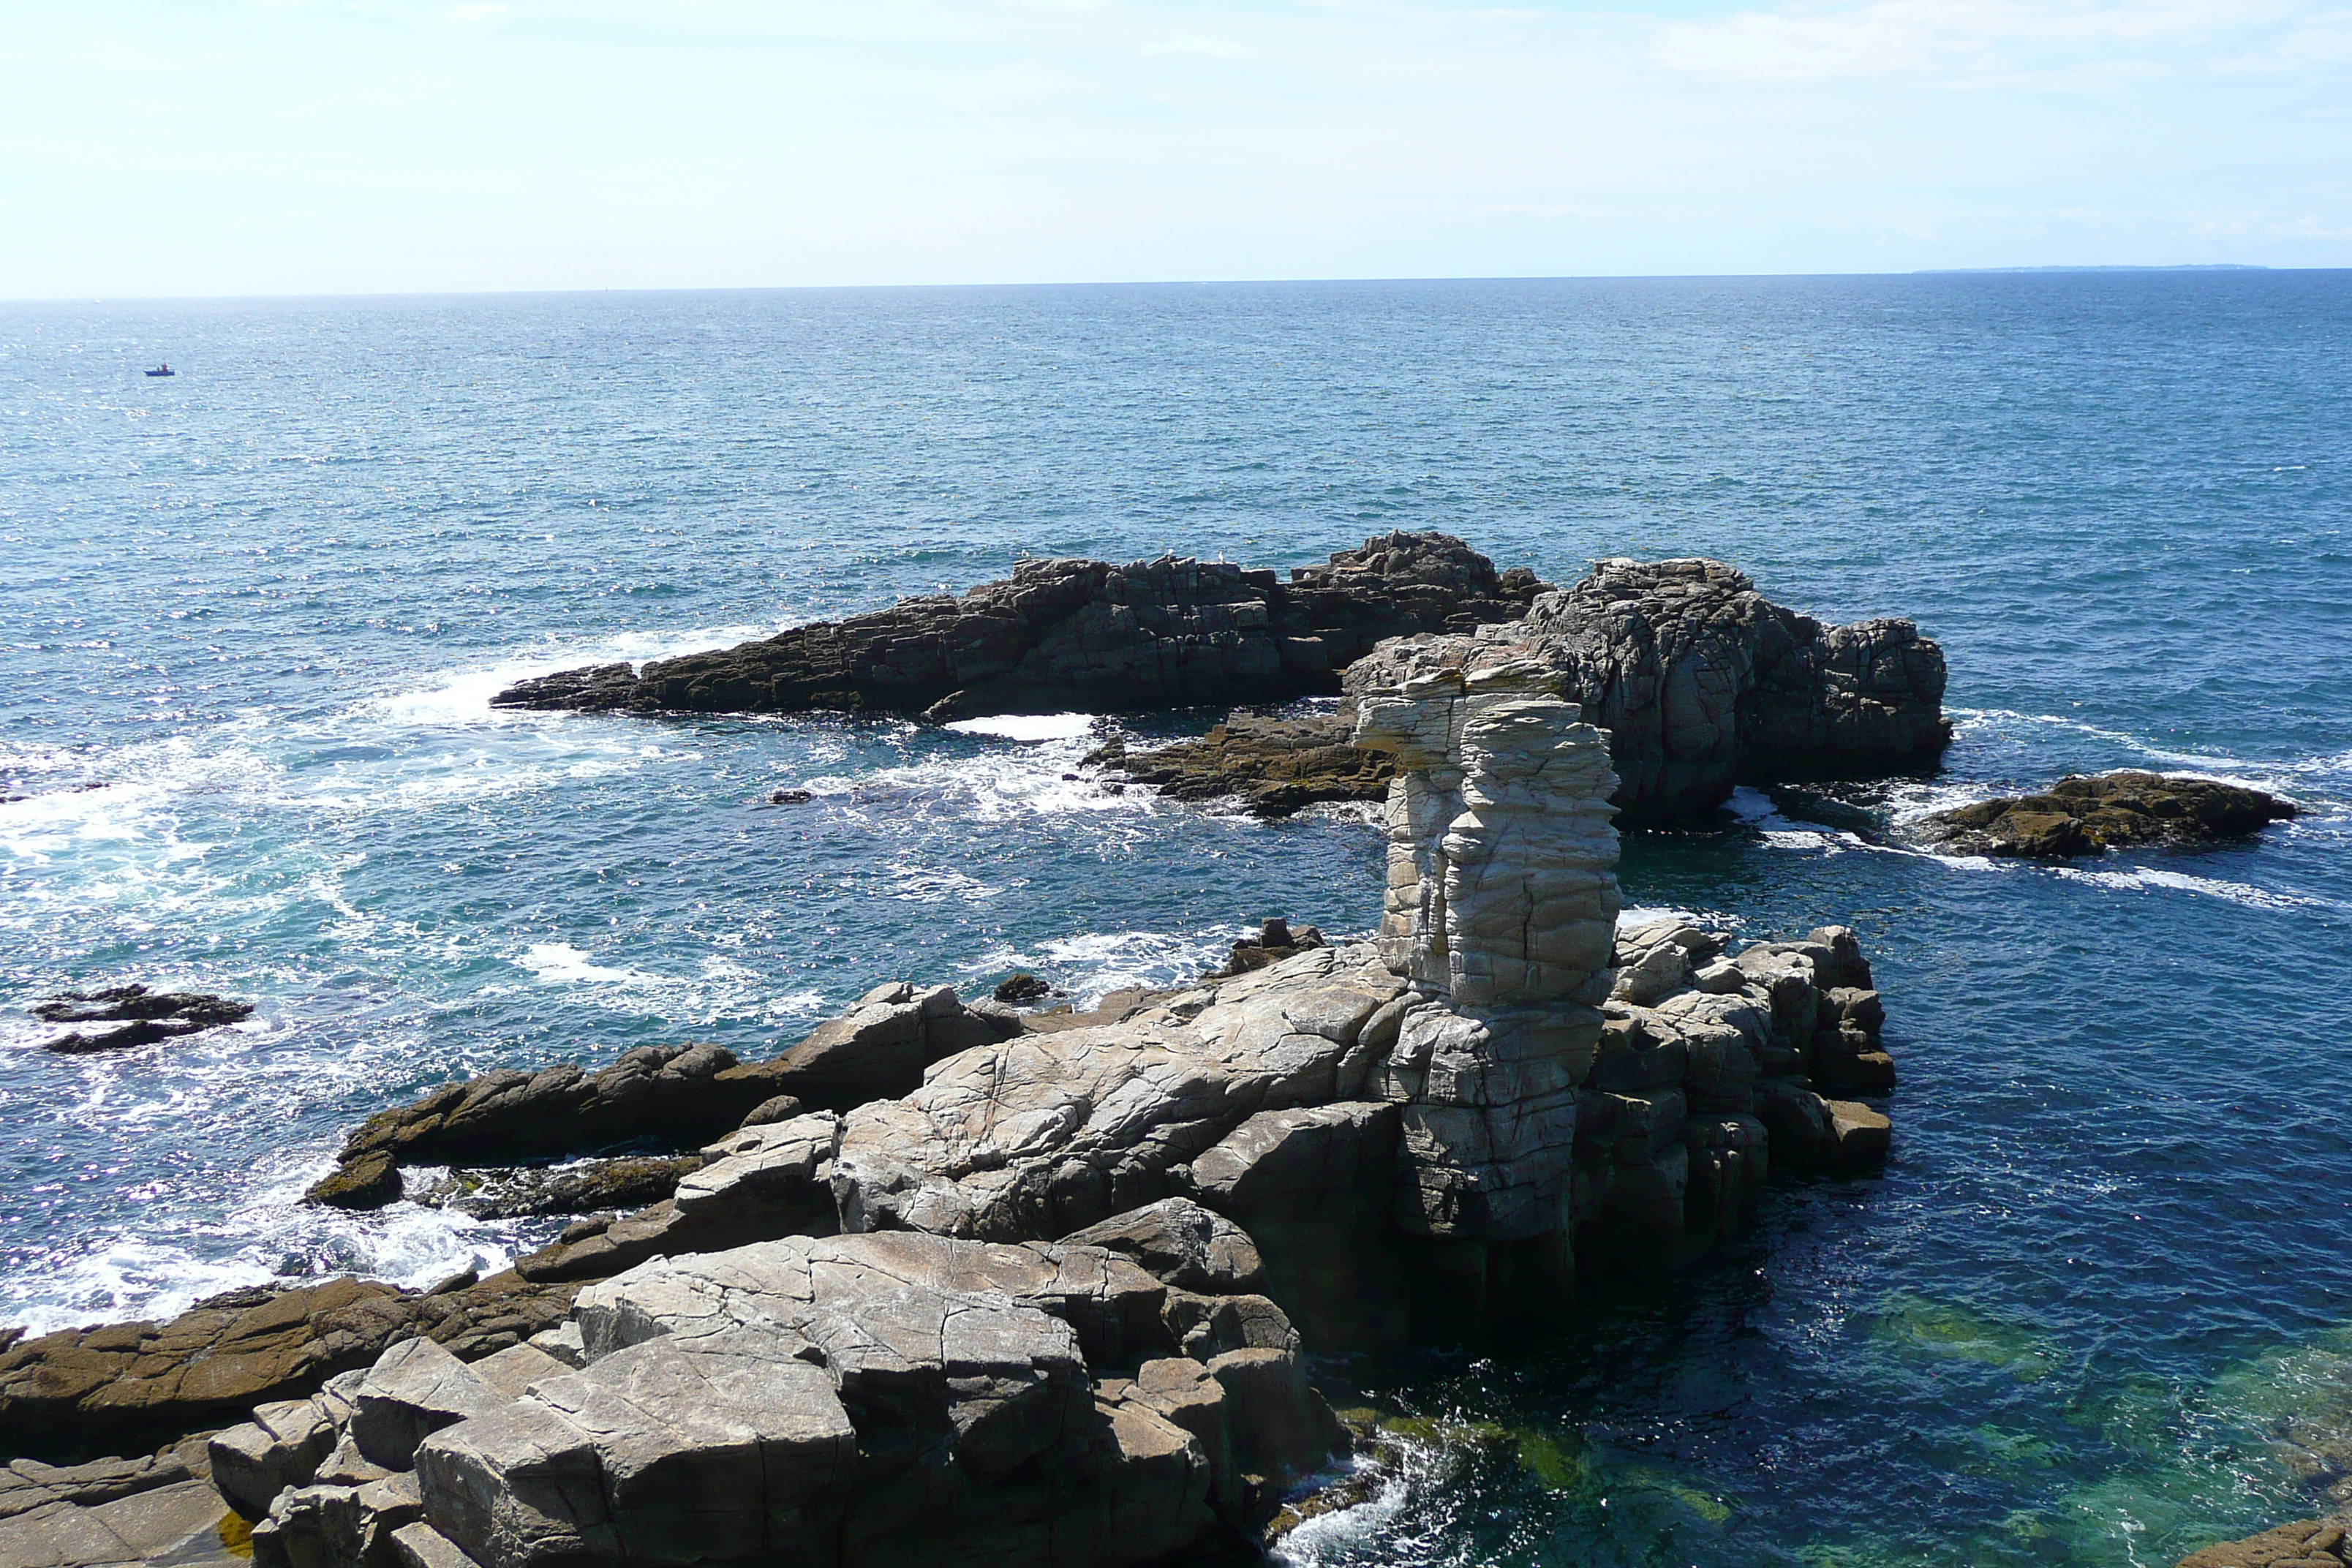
<point>1699,681</point>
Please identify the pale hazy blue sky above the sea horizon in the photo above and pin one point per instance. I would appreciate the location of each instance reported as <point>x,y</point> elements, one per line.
<point>389,147</point>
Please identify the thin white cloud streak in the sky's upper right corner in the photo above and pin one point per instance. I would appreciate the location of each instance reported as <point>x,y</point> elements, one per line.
<point>1993,41</point>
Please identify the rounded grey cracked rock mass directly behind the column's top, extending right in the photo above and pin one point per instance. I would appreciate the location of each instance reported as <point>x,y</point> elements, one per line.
<point>1704,683</point>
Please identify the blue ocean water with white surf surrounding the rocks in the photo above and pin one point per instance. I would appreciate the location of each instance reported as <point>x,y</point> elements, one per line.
<point>250,619</point>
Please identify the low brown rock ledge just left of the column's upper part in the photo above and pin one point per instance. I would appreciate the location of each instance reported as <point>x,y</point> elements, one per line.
<point>1274,765</point>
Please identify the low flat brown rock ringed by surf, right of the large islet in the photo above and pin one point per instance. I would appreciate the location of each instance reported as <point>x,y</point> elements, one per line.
<point>2083,817</point>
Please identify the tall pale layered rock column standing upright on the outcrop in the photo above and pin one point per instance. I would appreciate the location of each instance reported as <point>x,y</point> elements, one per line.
<point>1502,913</point>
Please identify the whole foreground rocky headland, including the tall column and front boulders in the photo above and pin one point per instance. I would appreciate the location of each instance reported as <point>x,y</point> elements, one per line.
<point>961,1285</point>
